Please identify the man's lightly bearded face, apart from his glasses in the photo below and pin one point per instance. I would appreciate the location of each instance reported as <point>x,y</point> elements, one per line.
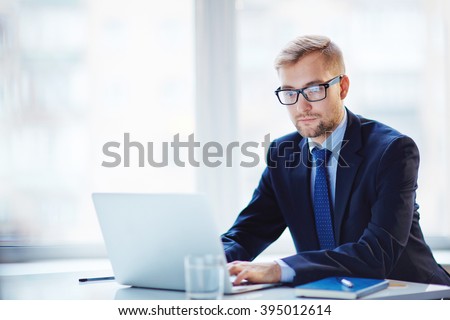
<point>314,120</point>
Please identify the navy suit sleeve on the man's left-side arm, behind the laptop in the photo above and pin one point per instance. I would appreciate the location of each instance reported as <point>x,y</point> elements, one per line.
<point>258,225</point>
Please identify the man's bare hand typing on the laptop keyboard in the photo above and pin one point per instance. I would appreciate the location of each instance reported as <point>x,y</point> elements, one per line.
<point>268,272</point>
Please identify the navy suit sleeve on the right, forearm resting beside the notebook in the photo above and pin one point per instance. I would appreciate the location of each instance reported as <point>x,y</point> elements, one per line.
<point>377,251</point>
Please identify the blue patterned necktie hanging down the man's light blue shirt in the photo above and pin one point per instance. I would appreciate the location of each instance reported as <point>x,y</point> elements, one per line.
<point>322,207</point>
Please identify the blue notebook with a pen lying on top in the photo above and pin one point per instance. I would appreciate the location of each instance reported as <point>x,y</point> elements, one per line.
<point>341,288</point>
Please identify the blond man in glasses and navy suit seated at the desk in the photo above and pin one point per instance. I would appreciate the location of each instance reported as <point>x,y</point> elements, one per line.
<point>345,186</point>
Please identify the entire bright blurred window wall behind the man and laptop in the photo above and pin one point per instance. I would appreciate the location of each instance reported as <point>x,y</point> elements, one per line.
<point>76,74</point>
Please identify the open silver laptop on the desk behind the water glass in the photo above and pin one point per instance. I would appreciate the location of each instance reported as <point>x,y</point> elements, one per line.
<point>147,237</point>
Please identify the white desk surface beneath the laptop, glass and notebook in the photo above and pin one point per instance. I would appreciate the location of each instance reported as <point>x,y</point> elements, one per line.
<point>54,285</point>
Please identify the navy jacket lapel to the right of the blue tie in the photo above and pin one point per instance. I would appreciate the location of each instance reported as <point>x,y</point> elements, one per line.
<point>349,162</point>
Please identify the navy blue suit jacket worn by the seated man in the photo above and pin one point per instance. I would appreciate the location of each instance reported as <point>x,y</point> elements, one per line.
<point>375,220</point>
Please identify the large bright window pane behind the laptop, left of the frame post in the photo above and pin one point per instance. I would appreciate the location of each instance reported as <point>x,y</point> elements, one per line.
<point>76,75</point>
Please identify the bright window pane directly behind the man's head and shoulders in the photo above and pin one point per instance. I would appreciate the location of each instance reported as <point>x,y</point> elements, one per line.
<point>396,55</point>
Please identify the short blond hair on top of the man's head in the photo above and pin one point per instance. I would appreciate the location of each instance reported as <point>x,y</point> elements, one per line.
<point>304,45</point>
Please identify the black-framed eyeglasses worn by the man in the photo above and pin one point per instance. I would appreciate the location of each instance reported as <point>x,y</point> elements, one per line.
<point>312,94</point>
